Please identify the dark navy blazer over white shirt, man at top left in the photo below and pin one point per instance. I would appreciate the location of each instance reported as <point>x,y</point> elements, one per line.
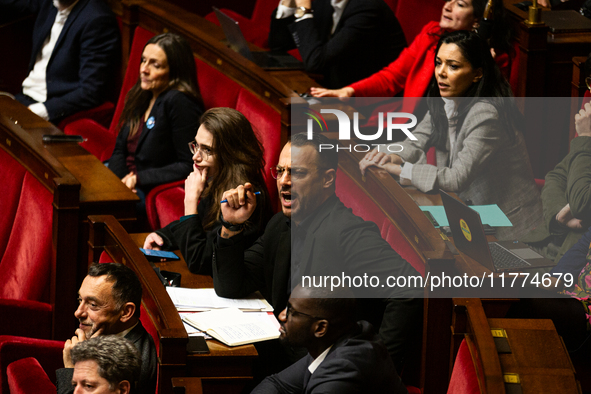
<point>86,57</point>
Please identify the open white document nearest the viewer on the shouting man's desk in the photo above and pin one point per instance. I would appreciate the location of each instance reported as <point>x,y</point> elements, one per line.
<point>234,327</point>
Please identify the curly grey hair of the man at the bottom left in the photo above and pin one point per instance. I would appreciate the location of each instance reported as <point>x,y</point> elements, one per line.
<point>116,357</point>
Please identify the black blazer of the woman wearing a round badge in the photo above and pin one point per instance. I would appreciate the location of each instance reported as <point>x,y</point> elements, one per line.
<point>162,154</point>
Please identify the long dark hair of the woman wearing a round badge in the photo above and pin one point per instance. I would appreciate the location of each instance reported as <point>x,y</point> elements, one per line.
<point>182,76</point>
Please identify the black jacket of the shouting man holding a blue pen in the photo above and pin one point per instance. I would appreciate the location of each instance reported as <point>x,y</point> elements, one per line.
<point>335,242</point>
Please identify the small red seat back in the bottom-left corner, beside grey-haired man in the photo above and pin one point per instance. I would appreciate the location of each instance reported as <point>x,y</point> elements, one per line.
<point>26,376</point>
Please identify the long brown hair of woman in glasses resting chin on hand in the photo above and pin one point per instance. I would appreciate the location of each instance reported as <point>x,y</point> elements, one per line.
<point>240,159</point>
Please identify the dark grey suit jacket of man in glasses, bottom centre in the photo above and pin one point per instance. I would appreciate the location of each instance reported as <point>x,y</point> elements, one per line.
<point>357,363</point>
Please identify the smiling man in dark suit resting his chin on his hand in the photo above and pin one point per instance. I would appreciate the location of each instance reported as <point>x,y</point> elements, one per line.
<point>109,304</point>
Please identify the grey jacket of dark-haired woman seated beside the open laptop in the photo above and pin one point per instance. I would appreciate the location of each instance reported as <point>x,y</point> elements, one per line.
<point>484,167</point>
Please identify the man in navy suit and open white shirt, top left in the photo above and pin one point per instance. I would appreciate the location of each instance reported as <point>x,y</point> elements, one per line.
<point>75,57</point>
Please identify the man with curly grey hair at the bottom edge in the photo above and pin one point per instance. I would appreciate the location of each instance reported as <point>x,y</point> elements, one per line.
<point>105,364</point>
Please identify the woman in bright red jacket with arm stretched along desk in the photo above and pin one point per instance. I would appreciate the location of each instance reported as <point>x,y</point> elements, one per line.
<point>413,69</point>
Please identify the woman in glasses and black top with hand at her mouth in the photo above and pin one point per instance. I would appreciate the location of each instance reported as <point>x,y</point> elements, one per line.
<point>226,153</point>
